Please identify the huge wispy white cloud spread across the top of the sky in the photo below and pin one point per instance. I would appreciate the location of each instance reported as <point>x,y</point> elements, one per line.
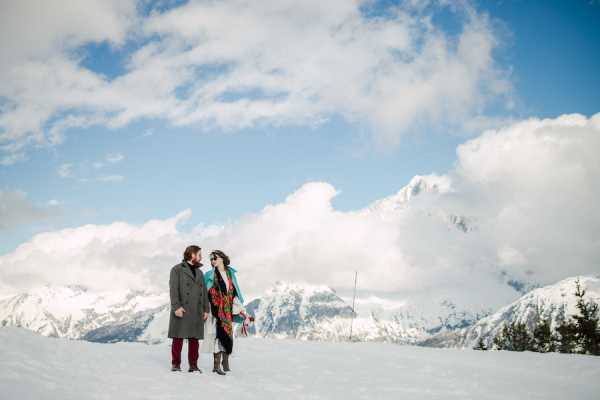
<point>286,62</point>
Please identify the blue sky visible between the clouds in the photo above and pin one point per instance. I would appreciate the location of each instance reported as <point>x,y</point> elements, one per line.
<point>547,51</point>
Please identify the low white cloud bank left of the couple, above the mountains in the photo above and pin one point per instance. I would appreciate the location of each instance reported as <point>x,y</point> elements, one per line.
<point>112,256</point>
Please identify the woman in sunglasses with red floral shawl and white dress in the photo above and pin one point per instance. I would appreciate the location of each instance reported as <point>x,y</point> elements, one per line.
<point>224,296</point>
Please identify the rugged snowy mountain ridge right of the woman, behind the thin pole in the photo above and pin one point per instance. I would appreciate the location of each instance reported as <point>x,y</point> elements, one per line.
<point>292,310</point>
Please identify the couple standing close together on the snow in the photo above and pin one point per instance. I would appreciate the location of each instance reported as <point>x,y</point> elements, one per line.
<point>204,307</point>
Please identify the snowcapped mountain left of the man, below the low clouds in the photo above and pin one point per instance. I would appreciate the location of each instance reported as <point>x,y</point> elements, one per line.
<point>77,313</point>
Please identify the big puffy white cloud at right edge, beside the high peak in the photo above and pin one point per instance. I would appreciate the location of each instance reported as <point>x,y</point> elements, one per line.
<point>534,182</point>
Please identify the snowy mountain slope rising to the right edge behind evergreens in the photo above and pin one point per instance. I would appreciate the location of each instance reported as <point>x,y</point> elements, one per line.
<point>555,303</point>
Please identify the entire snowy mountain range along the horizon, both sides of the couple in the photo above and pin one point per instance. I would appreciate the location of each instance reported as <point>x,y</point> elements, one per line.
<point>287,310</point>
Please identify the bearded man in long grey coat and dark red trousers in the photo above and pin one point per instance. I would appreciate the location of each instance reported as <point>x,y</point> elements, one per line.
<point>189,307</point>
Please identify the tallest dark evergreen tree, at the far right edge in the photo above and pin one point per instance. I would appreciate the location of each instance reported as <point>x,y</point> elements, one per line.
<point>586,323</point>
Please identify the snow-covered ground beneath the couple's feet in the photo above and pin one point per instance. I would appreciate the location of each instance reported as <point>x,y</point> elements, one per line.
<point>36,367</point>
